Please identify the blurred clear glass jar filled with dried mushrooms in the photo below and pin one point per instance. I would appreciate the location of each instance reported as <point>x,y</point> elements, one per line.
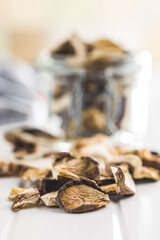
<point>112,100</point>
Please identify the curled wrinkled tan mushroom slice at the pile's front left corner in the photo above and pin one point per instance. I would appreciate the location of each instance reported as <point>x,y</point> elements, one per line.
<point>23,198</point>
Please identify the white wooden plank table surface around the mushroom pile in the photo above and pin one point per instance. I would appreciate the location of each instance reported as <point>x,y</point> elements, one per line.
<point>132,218</point>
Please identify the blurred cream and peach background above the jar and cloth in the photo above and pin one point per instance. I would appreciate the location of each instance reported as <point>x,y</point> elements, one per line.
<point>27,26</point>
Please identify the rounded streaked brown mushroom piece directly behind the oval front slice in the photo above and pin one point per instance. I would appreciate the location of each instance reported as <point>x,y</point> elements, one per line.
<point>85,167</point>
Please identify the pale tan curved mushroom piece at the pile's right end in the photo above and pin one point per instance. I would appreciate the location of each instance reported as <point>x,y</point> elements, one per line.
<point>135,164</point>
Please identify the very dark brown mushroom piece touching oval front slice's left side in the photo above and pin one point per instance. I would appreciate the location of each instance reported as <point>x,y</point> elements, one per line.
<point>48,185</point>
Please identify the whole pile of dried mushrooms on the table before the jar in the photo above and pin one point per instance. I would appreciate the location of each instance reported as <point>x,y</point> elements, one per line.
<point>84,179</point>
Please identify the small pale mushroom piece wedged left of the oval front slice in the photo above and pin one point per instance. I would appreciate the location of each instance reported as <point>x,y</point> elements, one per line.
<point>49,199</point>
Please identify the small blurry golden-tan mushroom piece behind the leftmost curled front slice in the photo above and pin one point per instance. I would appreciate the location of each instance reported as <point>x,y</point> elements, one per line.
<point>35,174</point>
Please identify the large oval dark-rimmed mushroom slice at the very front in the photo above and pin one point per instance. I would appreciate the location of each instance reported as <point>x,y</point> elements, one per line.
<point>81,195</point>
